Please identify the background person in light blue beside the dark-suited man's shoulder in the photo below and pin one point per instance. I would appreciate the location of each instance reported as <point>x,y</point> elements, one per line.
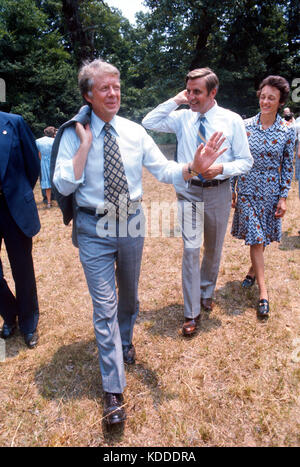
<point>44,146</point>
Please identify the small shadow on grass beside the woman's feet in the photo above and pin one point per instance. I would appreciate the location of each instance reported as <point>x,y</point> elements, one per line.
<point>235,300</point>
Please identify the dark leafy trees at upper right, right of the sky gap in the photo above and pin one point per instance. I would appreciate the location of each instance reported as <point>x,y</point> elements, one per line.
<point>242,40</point>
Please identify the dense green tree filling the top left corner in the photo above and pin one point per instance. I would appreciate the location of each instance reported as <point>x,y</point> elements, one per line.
<point>40,79</point>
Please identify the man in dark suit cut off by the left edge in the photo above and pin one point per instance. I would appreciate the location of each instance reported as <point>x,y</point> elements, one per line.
<point>19,222</point>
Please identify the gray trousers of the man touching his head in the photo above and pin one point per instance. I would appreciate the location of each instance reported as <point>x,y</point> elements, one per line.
<point>201,281</point>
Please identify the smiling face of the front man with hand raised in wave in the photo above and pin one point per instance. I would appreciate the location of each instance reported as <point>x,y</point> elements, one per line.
<point>105,96</point>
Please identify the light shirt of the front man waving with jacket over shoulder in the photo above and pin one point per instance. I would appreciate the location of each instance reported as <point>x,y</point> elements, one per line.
<point>137,150</point>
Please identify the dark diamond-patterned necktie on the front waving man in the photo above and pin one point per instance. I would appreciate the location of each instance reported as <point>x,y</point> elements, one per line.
<point>115,182</point>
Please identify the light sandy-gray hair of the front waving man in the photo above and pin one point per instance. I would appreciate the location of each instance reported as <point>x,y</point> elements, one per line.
<point>89,70</point>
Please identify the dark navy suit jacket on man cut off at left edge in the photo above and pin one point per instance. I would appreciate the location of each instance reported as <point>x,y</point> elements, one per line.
<point>19,171</point>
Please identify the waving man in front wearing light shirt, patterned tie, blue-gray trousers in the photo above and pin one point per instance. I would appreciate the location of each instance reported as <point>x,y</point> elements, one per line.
<point>96,161</point>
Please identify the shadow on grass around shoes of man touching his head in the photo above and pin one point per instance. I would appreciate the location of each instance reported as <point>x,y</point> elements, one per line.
<point>168,321</point>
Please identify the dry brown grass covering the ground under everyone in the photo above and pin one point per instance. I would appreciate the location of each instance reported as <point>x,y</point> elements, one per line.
<point>236,383</point>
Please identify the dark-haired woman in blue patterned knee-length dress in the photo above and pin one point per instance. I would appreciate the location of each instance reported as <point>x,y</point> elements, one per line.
<point>259,198</point>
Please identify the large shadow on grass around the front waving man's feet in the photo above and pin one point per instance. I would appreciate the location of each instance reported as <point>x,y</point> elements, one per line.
<point>73,374</point>
